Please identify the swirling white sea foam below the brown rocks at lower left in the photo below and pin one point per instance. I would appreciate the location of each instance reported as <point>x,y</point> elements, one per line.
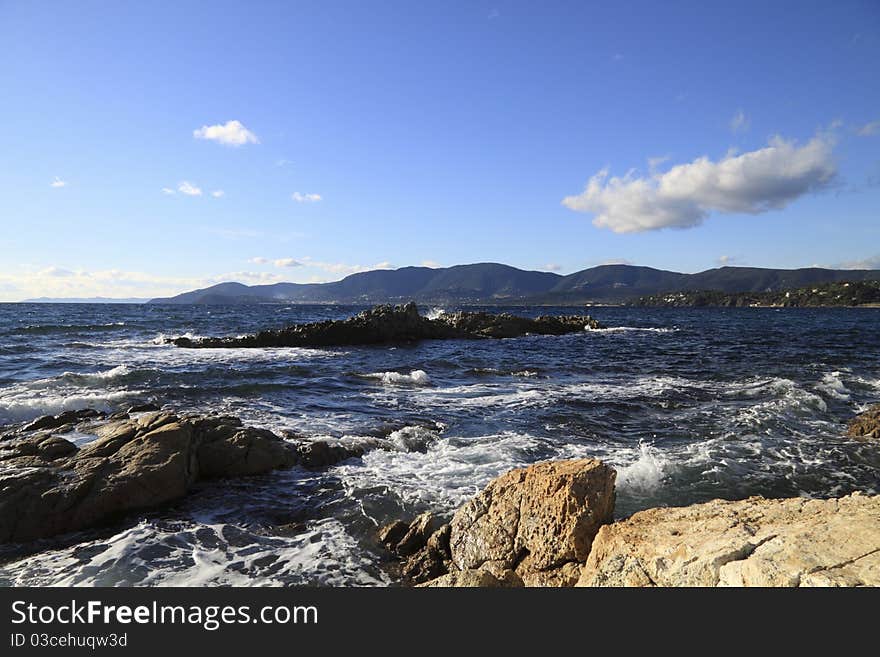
<point>187,553</point>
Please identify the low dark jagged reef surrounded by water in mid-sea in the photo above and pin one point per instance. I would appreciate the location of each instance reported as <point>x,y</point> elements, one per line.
<point>396,324</point>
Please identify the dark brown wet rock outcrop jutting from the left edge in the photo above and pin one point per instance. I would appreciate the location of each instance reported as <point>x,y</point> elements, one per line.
<point>50,486</point>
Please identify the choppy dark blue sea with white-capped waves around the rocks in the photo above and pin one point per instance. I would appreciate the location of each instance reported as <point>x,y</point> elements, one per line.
<point>688,404</point>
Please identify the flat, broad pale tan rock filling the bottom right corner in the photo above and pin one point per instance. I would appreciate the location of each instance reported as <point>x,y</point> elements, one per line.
<point>753,542</point>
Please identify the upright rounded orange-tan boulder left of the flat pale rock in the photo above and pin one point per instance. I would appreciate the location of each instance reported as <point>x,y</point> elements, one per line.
<point>536,521</point>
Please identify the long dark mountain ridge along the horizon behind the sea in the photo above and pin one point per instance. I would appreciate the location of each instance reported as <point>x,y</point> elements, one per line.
<point>492,283</point>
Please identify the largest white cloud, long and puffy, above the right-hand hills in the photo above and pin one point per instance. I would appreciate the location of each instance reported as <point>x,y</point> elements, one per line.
<point>754,182</point>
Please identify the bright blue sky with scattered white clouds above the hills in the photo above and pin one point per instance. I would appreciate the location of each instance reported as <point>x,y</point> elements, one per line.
<point>370,134</point>
